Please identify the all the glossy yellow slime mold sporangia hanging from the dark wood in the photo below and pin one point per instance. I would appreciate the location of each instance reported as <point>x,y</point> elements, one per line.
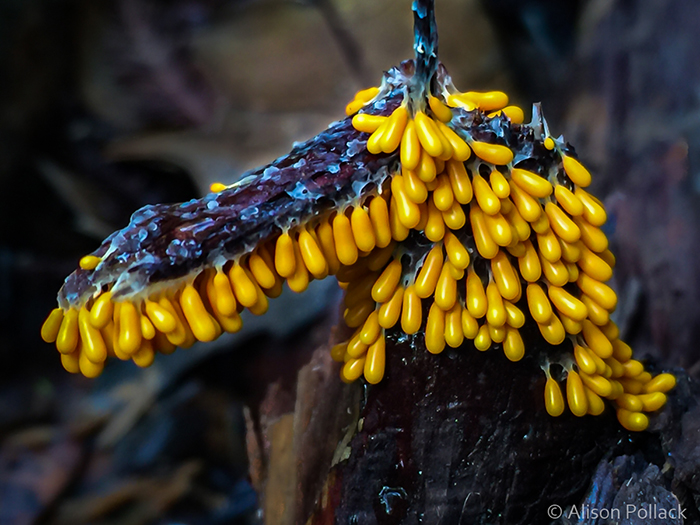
<point>536,236</point>
